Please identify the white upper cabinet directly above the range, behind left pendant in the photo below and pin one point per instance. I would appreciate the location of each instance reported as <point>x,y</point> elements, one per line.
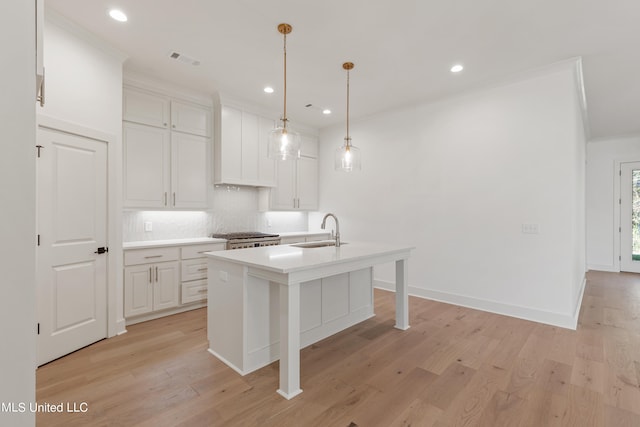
<point>241,149</point>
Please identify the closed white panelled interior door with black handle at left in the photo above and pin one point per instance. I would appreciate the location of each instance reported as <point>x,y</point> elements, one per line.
<point>72,225</point>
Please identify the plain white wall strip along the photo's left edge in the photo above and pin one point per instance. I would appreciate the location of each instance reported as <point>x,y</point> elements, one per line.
<point>17,215</point>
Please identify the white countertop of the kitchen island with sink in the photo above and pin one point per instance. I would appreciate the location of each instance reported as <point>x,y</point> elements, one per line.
<point>288,258</point>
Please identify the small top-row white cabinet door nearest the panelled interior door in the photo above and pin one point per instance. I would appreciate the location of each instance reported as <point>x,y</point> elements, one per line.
<point>145,108</point>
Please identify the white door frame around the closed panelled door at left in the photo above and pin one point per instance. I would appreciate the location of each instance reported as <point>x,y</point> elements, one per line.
<point>115,316</point>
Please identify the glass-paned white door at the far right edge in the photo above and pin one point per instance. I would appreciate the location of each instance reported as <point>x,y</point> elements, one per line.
<point>630,217</point>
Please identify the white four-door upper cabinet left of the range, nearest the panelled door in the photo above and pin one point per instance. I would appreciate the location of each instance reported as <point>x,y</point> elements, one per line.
<point>166,151</point>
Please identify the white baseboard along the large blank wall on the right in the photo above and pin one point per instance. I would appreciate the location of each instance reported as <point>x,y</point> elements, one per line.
<point>569,321</point>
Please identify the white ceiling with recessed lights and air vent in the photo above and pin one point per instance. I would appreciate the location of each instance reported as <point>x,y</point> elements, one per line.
<point>402,49</point>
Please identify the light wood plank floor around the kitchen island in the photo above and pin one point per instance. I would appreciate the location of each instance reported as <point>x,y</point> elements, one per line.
<point>455,366</point>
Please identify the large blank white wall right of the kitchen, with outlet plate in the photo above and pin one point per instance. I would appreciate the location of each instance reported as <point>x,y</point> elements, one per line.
<point>458,178</point>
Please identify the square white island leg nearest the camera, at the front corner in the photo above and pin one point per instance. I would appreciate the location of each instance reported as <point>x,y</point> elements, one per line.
<point>289,340</point>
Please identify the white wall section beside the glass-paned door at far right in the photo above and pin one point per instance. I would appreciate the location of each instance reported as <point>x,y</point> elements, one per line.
<point>603,191</point>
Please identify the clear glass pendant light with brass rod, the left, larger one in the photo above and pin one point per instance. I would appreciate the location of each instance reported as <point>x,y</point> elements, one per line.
<point>284,143</point>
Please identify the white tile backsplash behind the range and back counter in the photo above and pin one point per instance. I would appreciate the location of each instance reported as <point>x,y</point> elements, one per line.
<point>233,209</point>
